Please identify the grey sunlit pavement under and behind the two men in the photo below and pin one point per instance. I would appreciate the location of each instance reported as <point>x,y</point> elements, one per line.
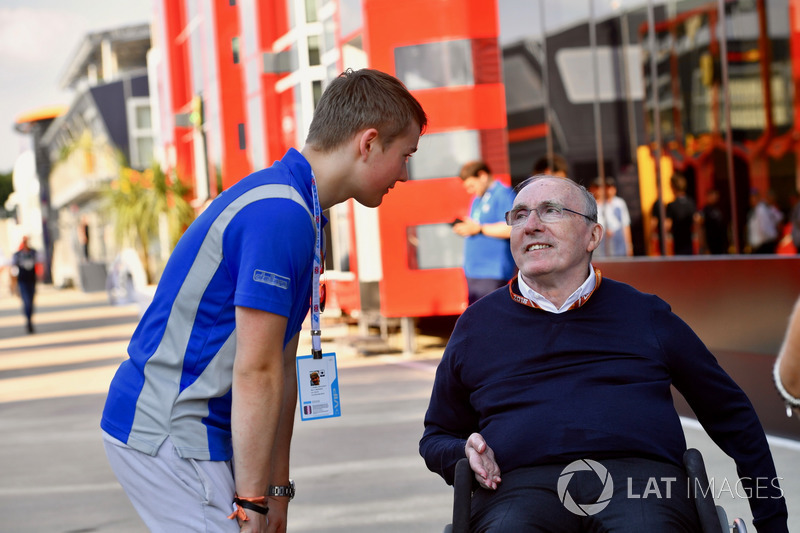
<point>357,473</point>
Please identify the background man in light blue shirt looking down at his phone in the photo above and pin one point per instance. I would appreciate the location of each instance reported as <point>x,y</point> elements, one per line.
<point>488,264</point>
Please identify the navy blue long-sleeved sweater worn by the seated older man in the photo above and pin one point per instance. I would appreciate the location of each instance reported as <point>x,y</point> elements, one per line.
<point>593,382</point>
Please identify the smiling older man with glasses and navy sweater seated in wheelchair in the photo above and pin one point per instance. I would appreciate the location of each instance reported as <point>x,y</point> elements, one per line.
<point>557,391</point>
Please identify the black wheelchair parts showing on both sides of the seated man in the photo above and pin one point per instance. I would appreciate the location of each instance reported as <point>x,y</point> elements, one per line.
<point>713,518</point>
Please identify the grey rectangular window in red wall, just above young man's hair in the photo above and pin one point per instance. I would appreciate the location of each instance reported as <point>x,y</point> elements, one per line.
<point>440,64</point>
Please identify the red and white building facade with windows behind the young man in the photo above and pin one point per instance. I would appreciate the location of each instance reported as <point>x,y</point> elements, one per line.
<point>238,81</point>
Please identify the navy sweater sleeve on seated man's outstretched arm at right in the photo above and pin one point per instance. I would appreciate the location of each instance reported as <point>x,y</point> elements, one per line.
<point>726,414</point>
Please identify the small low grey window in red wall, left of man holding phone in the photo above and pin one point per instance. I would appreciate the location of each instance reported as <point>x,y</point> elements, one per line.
<point>434,246</point>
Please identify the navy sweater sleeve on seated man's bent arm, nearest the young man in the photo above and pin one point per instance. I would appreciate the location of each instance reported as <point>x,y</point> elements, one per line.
<point>450,419</point>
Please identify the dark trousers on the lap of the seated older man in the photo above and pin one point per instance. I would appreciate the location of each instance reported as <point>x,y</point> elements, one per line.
<point>646,496</point>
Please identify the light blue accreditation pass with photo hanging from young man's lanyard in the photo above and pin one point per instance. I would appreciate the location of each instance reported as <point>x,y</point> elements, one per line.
<point>318,387</point>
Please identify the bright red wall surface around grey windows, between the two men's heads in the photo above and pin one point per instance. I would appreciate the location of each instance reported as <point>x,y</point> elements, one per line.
<point>388,25</point>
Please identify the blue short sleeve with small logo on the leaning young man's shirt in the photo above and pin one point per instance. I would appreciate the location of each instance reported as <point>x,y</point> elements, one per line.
<point>269,251</point>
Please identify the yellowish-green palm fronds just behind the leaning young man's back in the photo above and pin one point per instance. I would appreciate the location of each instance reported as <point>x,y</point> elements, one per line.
<point>138,201</point>
